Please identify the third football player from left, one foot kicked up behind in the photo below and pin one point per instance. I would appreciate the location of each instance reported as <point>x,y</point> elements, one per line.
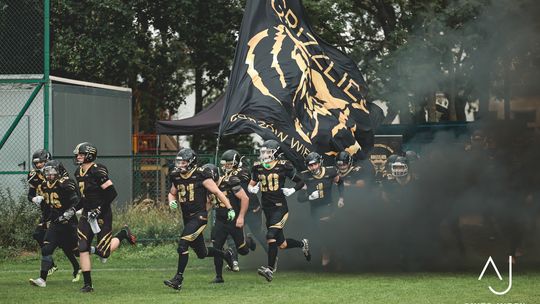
<point>97,193</point>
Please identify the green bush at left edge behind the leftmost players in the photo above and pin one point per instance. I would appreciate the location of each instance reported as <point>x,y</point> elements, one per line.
<point>18,219</point>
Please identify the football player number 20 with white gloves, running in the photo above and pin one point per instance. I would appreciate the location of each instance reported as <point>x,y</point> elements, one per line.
<point>269,176</point>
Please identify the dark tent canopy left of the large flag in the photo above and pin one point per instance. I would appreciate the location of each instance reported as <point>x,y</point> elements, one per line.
<point>206,121</point>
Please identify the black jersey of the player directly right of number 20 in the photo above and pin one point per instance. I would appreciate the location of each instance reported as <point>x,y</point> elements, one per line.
<point>322,183</point>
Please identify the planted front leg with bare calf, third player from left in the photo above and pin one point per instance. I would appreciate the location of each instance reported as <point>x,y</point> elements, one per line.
<point>85,236</point>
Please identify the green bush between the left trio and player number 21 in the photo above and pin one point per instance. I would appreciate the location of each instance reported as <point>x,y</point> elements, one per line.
<point>149,221</point>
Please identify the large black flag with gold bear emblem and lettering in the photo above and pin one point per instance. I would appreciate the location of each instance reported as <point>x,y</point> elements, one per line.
<point>287,84</point>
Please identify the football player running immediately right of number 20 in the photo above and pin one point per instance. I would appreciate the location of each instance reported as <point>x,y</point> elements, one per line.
<point>318,191</point>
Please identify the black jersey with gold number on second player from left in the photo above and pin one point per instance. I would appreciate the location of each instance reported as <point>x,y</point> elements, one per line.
<point>59,196</point>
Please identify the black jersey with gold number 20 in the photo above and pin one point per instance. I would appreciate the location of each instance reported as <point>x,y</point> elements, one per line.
<point>272,180</point>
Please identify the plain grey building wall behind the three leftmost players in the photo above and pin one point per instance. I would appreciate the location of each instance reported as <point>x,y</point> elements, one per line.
<point>99,116</point>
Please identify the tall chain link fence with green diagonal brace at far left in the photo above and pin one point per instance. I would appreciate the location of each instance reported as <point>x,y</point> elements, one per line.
<point>22,91</point>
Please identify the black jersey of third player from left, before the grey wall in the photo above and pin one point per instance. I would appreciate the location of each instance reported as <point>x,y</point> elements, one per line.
<point>89,183</point>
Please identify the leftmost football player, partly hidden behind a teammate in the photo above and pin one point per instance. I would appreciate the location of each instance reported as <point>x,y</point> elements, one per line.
<point>35,179</point>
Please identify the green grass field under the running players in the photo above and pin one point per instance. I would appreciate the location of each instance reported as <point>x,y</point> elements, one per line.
<point>135,275</point>
